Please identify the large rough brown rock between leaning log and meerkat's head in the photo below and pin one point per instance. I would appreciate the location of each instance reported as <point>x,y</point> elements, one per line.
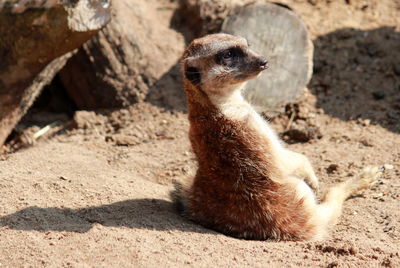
<point>119,65</point>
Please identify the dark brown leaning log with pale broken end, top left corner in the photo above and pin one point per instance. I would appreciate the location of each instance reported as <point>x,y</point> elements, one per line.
<point>35,37</point>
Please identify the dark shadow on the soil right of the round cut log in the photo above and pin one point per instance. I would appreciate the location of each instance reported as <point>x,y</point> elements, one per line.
<point>357,75</point>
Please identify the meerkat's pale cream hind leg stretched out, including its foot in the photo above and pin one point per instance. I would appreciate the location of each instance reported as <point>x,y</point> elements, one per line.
<point>329,211</point>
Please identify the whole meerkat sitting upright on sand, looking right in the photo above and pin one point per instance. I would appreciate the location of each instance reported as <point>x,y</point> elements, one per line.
<point>247,184</point>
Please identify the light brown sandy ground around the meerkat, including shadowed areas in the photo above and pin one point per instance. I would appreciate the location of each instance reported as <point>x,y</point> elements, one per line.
<point>94,191</point>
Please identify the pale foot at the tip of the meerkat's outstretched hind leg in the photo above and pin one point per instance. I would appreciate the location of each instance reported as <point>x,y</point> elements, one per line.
<point>366,179</point>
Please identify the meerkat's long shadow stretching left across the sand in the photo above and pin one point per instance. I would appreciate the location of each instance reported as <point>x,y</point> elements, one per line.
<point>152,214</point>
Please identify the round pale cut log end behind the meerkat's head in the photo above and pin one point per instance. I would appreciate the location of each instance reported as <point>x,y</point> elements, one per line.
<point>278,34</point>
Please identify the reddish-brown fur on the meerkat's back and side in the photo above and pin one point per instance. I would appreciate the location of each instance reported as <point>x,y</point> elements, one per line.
<point>232,190</point>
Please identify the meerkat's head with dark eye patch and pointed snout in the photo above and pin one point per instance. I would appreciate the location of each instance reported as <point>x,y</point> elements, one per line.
<point>219,63</point>
